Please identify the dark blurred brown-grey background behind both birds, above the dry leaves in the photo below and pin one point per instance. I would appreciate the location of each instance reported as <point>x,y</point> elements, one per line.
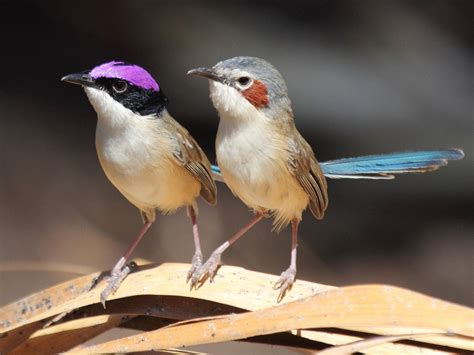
<point>364,77</point>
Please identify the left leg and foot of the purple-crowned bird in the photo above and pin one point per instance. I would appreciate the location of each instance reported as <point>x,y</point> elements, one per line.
<point>120,271</point>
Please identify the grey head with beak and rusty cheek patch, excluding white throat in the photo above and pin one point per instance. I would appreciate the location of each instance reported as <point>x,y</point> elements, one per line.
<point>258,81</point>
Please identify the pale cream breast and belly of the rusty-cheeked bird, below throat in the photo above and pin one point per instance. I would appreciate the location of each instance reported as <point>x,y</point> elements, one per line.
<point>255,170</point>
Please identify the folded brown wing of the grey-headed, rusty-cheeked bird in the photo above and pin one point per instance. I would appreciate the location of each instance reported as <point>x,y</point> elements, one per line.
<point>305,168</point>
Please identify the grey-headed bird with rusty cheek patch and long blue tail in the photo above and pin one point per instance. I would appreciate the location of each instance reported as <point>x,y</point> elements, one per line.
<point>266,162</point>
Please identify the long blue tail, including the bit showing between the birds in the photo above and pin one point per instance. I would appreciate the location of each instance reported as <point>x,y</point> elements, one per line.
<point>383,166</point>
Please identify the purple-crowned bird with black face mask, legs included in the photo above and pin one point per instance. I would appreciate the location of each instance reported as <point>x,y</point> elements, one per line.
<point>148,156</point>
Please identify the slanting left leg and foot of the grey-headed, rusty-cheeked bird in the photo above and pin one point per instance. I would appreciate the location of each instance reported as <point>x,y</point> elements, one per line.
<point>209,268</point>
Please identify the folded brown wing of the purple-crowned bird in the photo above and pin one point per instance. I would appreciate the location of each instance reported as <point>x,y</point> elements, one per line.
<point>190,155</point>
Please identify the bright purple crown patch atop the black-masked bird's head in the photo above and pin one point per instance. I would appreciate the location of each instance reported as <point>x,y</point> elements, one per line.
<point>130,72</point>
